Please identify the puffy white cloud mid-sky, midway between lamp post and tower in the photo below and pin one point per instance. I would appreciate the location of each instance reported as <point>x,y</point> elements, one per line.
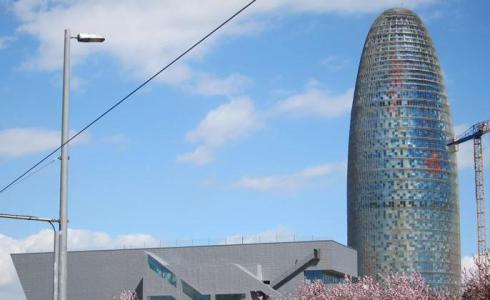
<point>229,122</point>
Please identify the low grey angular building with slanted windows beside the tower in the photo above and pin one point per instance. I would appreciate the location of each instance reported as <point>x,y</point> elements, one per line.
<point>224,272</point>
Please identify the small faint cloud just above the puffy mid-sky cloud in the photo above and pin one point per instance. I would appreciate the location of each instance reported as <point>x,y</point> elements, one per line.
<point>231,85</point>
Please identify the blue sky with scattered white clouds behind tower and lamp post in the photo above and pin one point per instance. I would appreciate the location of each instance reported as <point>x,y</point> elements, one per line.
<point>248,135</point>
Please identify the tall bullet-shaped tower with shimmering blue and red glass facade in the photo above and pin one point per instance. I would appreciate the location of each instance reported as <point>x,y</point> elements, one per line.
<point>403,204</point>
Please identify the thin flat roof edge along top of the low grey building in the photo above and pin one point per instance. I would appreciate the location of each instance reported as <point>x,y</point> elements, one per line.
<point>197,246</point>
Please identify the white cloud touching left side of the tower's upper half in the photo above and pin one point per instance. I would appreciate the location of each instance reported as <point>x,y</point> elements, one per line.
<point>318,102</point>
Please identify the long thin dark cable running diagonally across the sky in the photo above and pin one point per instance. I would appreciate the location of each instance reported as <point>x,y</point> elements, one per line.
<point>127,96</point>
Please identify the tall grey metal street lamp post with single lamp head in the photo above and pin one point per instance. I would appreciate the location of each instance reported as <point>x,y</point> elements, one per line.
<point>63,224</point>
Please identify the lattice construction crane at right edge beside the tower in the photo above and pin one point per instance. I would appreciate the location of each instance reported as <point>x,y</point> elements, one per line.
<point>475,133</point>
